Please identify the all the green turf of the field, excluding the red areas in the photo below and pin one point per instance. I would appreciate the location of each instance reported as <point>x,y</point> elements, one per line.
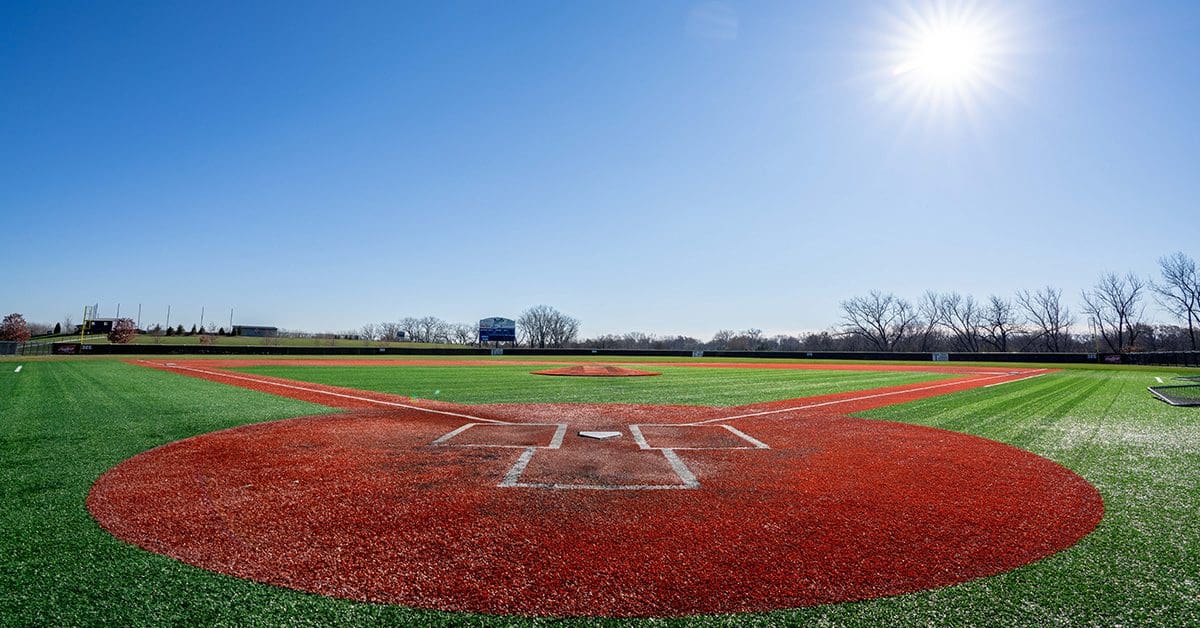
<point>68,421</point>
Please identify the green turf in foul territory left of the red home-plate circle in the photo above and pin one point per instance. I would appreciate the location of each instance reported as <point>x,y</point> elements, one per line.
<point>65,424</point>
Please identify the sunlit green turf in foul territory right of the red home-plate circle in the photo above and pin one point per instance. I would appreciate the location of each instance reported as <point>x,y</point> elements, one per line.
<point>1138,567</point>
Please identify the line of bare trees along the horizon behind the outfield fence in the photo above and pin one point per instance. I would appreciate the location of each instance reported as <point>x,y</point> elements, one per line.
<point>1112,318</point>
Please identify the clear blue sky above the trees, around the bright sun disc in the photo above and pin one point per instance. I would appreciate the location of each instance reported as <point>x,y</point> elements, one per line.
<point>667,168</point>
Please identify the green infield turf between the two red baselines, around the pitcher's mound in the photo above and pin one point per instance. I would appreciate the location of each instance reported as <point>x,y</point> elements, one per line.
<point>683,386</point>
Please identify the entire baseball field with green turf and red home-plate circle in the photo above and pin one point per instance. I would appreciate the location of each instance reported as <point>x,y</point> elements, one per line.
<point>283,492</point>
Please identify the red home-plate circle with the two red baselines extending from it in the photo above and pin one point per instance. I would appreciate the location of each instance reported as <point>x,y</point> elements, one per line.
<point>507,510</point>
